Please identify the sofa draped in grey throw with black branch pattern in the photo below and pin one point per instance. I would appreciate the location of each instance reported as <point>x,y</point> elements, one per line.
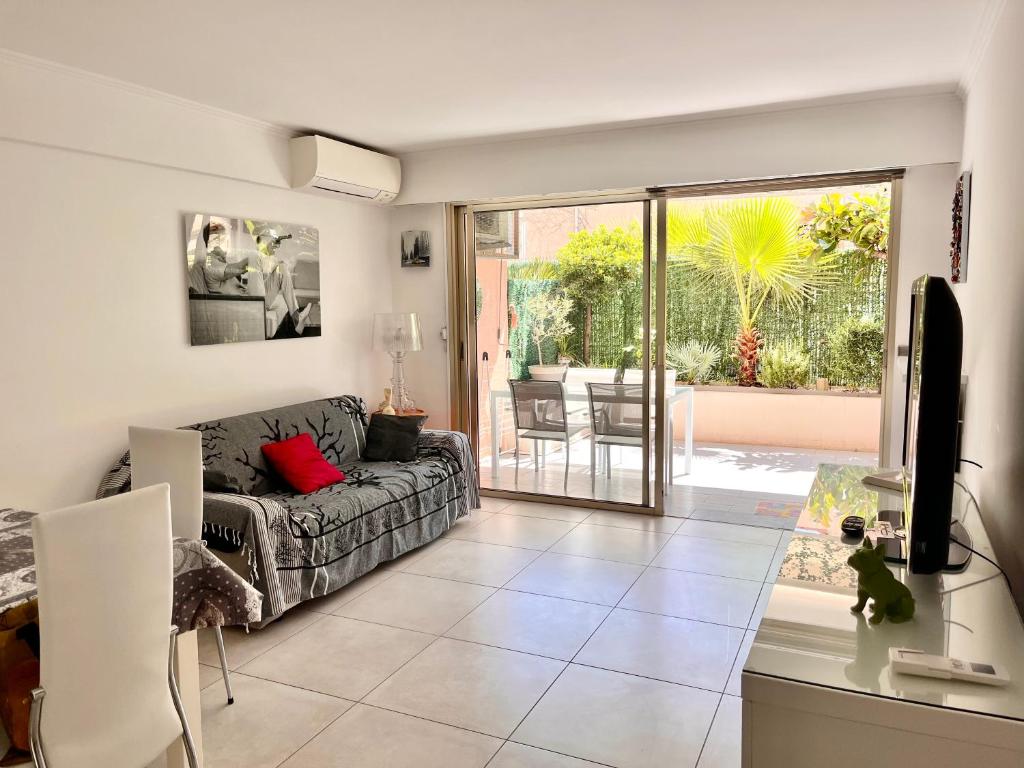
<point>295,547</point>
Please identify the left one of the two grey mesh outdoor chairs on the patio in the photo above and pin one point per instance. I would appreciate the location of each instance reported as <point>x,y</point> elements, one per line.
<point>539,414</point>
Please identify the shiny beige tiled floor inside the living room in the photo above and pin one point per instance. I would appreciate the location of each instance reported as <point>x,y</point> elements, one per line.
<point>530,636</point>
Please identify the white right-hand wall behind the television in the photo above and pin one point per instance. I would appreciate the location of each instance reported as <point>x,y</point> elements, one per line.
<point>993,298</point>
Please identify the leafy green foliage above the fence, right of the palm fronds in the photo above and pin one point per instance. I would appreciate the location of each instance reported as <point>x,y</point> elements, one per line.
<point>857,226</point>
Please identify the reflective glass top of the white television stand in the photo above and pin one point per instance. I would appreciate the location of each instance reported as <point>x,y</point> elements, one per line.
<point>809,635</point>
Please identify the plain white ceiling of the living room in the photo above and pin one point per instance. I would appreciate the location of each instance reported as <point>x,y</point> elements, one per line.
<point>405,74</point>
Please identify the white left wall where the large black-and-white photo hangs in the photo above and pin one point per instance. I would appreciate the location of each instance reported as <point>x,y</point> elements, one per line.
<point>95,302</point>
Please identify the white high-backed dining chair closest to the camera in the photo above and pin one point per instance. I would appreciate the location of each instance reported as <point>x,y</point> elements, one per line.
<point>108,696</point>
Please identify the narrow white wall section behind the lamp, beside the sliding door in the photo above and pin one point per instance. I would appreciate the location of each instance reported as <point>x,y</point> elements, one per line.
<point>423,290</point>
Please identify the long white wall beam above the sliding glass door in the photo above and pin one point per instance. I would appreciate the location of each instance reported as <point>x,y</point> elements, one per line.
<point>903,133</point>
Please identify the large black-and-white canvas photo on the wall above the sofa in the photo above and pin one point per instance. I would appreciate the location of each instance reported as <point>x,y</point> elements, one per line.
<point>251,280</point>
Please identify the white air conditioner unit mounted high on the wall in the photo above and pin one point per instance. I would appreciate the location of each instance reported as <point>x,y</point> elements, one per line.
<point>328,167</point>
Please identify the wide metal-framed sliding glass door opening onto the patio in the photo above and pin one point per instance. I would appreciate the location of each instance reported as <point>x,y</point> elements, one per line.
<point>696,349</point>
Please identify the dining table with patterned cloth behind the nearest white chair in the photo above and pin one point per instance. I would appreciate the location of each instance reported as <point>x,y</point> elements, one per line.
<point>207,593</point>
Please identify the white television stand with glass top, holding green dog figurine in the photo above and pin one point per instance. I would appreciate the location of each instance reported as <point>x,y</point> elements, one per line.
<point>818,687</point>
